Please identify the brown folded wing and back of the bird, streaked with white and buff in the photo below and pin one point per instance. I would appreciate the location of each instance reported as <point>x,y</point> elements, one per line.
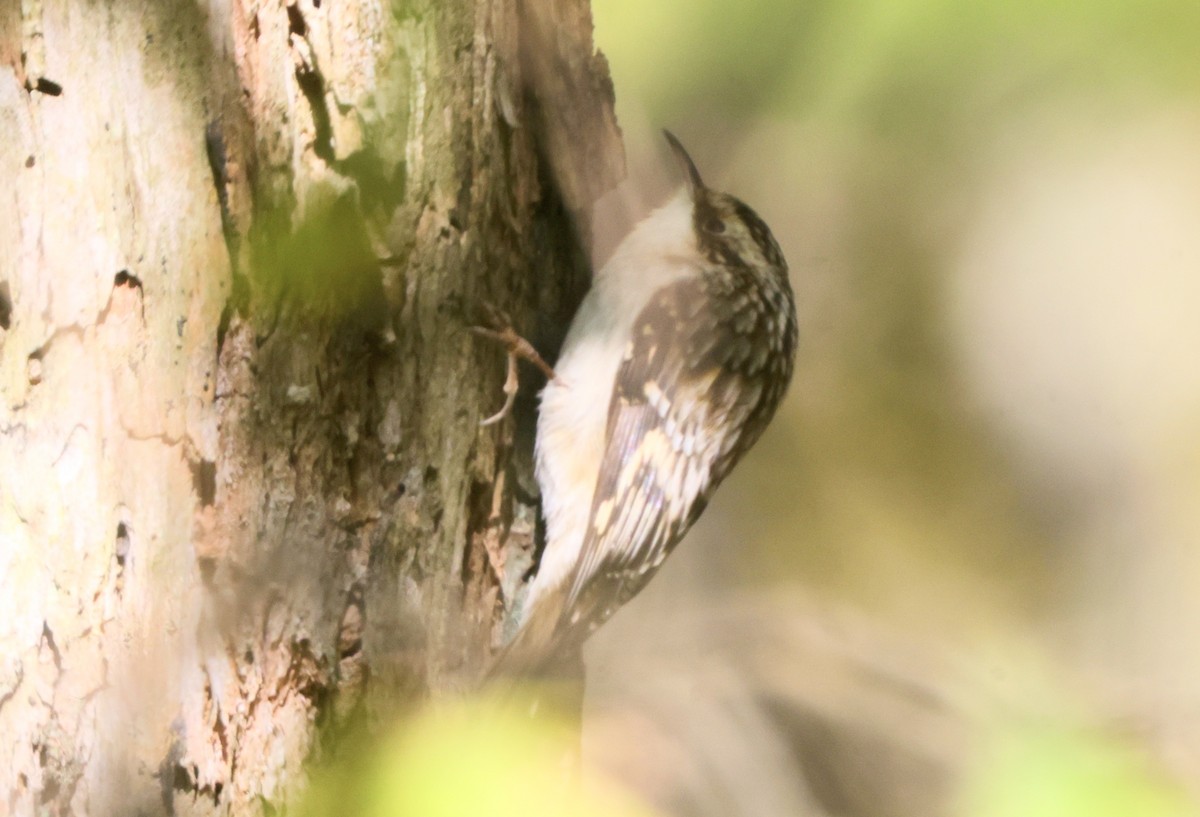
<point>706,369</point>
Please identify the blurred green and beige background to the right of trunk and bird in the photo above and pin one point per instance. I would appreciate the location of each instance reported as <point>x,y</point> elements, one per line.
<point>962,573</point>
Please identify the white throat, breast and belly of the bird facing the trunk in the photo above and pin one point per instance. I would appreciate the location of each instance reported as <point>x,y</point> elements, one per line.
<point>574,413</point>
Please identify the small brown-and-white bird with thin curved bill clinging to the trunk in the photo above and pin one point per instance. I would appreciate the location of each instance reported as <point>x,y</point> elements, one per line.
<point>671,370</point>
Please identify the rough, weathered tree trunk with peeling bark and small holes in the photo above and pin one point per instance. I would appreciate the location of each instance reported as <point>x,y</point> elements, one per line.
<point>242,476</point>
